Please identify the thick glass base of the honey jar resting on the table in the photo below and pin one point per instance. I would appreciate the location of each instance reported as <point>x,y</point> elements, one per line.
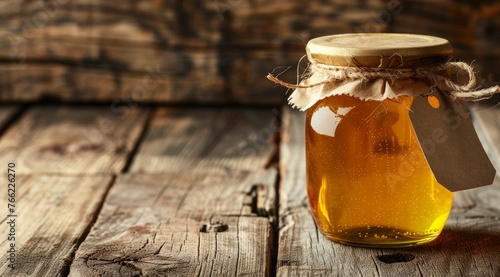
<point>380,237</point>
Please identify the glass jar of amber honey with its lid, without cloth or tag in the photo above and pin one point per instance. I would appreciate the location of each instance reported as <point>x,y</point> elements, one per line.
<point>368,181</point>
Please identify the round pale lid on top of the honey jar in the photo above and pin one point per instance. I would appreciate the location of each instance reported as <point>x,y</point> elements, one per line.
<point>379,50</point>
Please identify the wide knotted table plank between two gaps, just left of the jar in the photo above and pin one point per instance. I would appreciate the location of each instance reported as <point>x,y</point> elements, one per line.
<point>209,210</point>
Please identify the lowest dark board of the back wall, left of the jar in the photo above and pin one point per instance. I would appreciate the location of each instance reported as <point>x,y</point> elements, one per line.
<point>240,82</point>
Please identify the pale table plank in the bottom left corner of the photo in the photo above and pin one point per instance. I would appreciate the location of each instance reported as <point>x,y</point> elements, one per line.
<point>54,213</point>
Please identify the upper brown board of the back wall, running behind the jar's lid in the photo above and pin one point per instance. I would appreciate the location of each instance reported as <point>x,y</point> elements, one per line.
<point>105,33</point>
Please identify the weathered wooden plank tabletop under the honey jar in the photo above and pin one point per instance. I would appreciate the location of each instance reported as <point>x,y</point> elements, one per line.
<point>165,191</point>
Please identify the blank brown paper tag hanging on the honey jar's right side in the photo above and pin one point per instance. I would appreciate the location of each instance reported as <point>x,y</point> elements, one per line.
<point>450,143</point>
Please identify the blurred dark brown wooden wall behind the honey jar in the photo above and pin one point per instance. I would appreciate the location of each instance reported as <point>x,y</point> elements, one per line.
<point>212,51</point>
